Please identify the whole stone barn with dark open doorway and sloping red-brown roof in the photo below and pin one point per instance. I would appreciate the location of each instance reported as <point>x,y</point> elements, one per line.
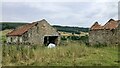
<point>40,32</point>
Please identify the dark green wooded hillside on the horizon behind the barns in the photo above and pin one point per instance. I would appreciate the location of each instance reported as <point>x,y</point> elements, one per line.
<point>77,30</point>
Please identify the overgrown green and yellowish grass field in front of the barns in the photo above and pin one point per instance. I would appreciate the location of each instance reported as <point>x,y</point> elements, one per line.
<point>70,53</point>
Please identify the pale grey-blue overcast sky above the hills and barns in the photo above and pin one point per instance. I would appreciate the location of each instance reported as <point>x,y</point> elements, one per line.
<point>66,13</point>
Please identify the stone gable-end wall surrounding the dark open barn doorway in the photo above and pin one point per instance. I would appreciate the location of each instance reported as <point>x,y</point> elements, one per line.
<point>36,33</point>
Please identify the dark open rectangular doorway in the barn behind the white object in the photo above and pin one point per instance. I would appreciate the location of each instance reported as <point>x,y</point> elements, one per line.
<point>50,39</point>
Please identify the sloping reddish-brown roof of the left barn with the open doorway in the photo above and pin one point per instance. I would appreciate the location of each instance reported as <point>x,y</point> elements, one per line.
<point>21,30</point>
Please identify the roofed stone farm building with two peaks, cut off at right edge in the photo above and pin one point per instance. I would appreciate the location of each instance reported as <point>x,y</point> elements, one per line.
<point>107,34</point>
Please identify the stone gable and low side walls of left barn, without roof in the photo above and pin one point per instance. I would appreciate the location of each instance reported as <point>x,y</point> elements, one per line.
<point>35,35</point>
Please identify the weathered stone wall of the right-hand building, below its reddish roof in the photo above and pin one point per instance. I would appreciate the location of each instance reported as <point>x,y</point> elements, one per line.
<point>104,37</point>
